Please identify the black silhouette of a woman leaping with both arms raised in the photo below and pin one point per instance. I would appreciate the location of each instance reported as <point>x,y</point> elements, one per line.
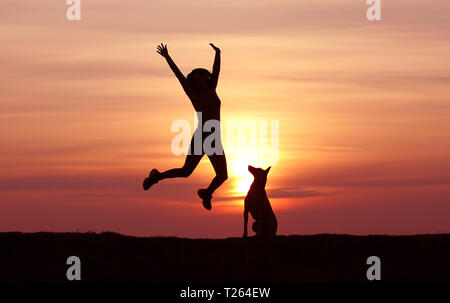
<point>200,86</point>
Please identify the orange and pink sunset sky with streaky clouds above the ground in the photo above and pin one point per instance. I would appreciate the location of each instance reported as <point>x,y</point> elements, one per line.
<point>86,109</point>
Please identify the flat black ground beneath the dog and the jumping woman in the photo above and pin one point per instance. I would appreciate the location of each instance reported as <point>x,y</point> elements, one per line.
<point>110,257</point>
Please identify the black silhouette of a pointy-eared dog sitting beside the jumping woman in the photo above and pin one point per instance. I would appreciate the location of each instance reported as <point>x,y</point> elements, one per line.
<point>257,203</point>
